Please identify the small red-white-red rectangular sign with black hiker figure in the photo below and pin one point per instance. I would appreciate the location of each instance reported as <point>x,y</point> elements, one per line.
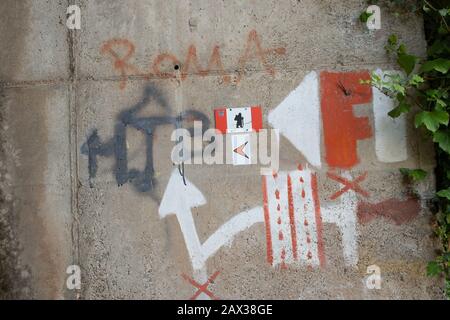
<point>238,120</point>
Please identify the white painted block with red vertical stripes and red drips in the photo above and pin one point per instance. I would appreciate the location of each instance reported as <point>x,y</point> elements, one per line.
<point>293,219</point>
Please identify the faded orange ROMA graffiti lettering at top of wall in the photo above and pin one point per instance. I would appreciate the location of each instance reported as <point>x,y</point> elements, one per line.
<point>121,52</point>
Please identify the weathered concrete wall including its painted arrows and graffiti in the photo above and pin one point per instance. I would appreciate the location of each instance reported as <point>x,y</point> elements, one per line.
<point>87,176</point>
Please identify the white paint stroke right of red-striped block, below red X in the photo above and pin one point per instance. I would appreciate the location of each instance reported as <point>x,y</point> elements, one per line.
<point>343,214</point>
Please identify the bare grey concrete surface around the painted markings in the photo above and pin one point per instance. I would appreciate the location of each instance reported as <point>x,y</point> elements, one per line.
<point>58,86</point>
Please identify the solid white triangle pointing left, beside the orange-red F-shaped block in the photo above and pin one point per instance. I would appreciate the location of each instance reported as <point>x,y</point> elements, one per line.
<point>298,118</point>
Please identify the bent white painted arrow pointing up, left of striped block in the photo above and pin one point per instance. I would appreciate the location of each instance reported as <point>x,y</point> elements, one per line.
<point>179,198</point>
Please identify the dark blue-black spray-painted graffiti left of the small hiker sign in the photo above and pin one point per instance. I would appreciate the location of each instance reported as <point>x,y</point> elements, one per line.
<point>143,181</point>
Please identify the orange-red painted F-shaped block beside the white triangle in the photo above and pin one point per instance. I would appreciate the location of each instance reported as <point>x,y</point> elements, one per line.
<point>342,130</point>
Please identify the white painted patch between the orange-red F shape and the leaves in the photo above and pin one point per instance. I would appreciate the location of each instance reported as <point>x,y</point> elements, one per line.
<point>390,134</point>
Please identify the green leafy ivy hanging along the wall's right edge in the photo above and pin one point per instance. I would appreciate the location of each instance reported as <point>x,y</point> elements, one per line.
<point>422,88</point>
